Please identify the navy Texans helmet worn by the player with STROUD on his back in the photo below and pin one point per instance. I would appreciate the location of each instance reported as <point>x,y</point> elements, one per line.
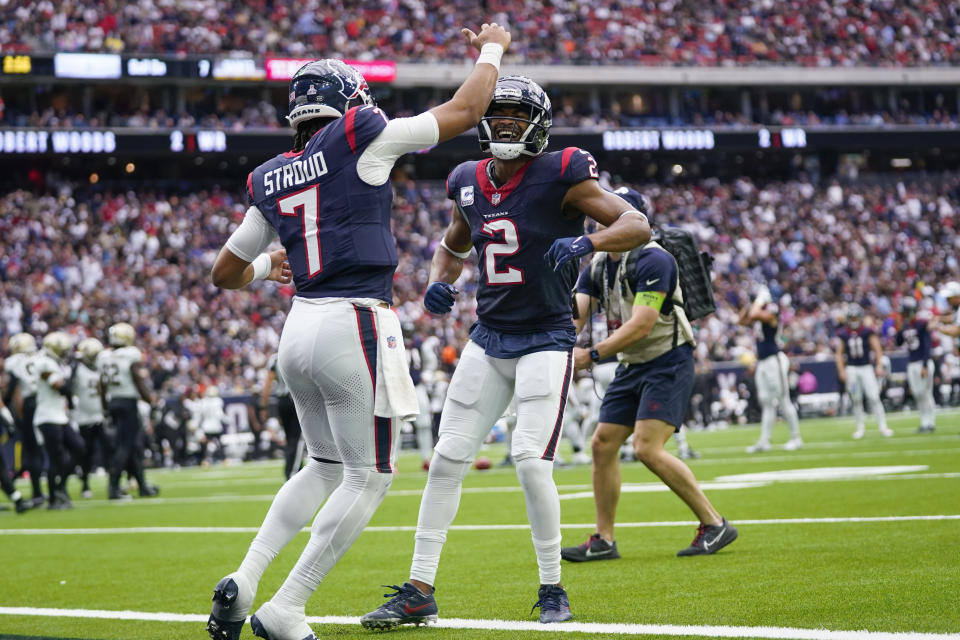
<point>326,89</point>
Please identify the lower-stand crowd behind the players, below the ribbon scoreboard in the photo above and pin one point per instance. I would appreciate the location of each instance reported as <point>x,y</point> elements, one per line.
<point>80,261</point>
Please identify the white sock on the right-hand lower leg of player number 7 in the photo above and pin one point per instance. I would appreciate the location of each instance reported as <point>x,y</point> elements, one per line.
<point>335,529</point>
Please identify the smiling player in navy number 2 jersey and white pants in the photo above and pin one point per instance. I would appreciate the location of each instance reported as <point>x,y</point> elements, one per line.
<point>523,211</point>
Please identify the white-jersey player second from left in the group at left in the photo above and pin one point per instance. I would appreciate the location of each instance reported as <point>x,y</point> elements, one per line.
<point>51,416</point>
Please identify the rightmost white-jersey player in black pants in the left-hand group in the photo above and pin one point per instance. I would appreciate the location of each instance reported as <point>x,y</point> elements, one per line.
<point>121,367</point>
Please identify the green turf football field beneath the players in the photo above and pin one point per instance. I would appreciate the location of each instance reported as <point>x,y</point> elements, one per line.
<point>866,547</point>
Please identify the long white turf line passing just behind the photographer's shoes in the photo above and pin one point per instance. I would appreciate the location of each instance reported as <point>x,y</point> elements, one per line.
<point>470,527</point>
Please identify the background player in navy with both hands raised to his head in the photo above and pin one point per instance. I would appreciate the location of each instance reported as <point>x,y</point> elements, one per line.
<point>771,375</point>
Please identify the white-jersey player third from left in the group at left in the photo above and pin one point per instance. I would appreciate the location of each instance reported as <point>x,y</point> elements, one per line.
<point>88,408</point>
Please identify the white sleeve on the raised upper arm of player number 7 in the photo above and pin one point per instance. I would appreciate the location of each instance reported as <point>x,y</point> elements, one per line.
<point>400,136</point>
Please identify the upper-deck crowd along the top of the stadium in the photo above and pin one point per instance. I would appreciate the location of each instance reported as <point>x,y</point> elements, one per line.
<point>662,32</point>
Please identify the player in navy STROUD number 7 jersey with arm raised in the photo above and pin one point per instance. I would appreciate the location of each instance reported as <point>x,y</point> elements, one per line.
<point>341,353</point>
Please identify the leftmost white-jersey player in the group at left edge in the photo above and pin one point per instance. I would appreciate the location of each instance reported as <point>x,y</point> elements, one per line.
<point>20,394</point>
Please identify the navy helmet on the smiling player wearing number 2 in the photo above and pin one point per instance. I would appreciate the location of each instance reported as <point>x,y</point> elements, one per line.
<point>517,91</point>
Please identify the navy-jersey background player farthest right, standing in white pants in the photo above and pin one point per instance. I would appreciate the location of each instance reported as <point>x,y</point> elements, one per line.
<point>915,333</point>
